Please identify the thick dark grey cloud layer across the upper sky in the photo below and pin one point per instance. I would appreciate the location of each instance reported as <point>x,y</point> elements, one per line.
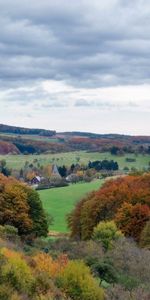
<point>87,44</point>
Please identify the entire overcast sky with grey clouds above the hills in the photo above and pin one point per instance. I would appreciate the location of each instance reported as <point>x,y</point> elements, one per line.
<point>76,65</point>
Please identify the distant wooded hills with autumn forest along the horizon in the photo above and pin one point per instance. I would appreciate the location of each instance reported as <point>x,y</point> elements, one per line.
<point>36,141</point>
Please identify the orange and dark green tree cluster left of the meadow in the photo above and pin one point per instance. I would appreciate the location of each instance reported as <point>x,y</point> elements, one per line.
<point>21,207</point>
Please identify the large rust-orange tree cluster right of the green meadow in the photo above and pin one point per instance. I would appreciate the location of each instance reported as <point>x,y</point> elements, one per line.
<point>126,200</point>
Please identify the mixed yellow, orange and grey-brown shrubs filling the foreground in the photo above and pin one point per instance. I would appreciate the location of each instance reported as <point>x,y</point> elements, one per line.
<point>66,269</point>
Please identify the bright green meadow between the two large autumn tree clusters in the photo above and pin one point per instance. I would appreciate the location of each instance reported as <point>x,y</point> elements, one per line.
<point>58,202</point>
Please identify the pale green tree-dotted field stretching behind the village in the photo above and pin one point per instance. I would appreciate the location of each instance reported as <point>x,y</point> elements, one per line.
<point>18,161</point>
